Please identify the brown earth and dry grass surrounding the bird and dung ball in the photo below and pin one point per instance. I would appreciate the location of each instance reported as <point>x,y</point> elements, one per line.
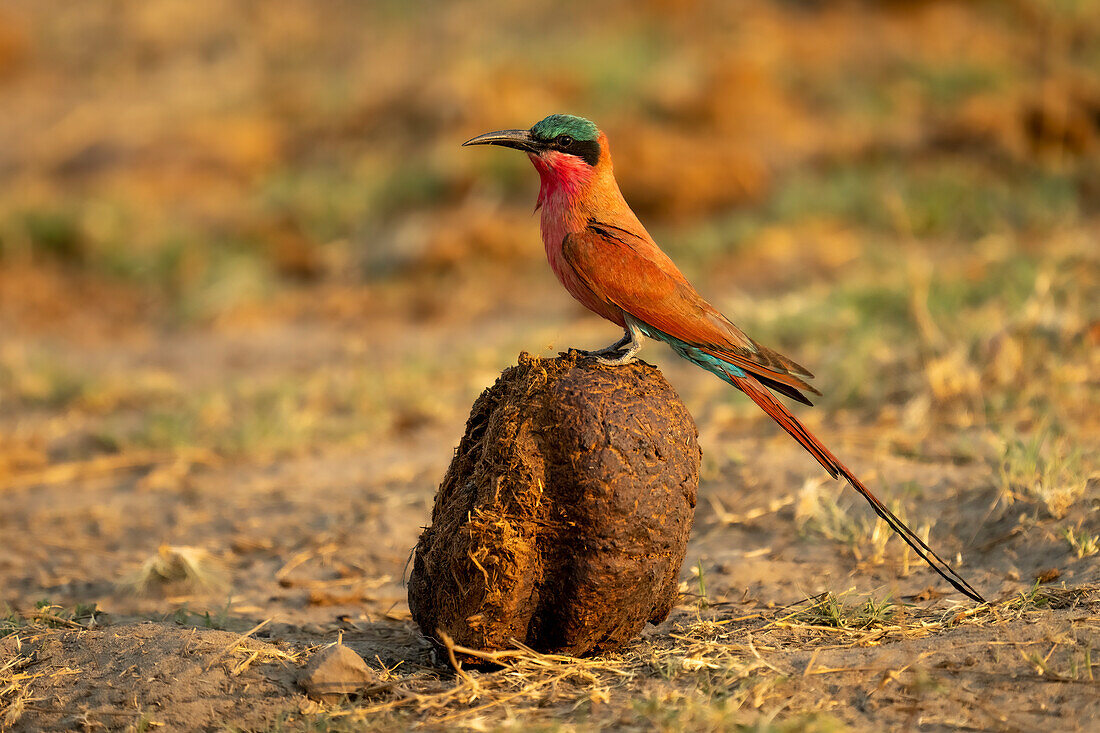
<point>250,286</point>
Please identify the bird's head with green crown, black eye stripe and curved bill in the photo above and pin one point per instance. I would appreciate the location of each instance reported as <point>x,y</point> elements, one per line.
<point>565,149</point>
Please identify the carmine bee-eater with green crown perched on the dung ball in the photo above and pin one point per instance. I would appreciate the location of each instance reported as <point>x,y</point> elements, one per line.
<point>607,260</point>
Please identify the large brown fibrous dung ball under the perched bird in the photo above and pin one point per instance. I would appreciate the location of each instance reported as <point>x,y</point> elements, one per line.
<point>564,520</point>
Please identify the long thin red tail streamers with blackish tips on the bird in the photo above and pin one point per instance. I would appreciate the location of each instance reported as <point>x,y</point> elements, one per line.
<point>768,403</point>
